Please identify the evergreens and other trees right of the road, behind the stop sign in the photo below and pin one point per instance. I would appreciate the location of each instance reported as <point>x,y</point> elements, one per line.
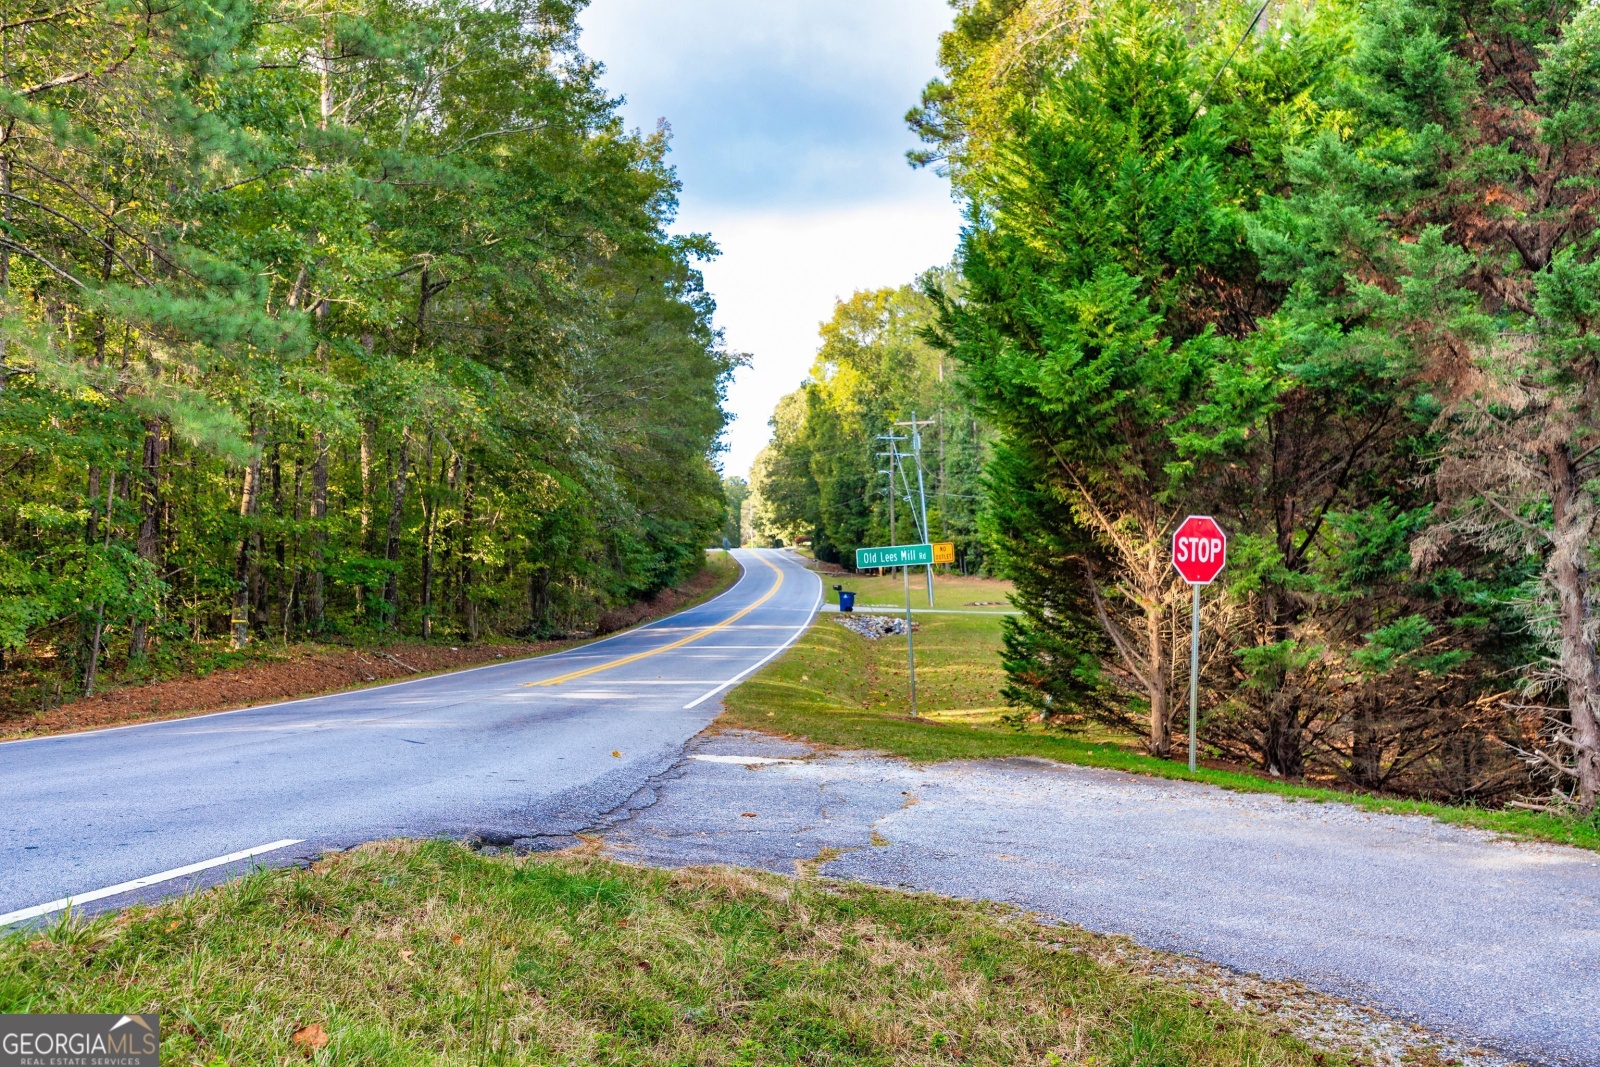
<point>1324,271</point>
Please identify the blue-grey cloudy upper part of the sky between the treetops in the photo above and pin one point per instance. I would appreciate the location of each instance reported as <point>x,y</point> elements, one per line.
<point>801,102</point>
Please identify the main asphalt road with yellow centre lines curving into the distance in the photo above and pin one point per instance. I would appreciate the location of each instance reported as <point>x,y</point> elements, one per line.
<point>513,751</point>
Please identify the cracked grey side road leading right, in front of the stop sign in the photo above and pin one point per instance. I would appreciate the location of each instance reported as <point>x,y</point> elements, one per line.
<point>1487,941</point>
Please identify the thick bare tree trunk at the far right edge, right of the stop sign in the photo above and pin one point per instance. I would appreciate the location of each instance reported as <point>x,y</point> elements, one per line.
<point>1574,521</point>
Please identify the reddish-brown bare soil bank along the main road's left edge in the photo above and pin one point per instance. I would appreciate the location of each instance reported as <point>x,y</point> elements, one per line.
<point>313,669</point>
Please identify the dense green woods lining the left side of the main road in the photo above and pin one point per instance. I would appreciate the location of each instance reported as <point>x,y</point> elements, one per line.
<point>327,318</point>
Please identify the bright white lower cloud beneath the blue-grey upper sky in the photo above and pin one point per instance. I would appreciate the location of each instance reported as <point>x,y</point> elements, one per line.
<point>780,278</point>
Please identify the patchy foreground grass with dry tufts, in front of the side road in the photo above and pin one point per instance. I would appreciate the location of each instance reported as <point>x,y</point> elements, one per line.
<point>433,954</point>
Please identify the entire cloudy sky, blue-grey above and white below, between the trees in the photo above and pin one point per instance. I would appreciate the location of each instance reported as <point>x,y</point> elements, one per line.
<point>790,138</point>
